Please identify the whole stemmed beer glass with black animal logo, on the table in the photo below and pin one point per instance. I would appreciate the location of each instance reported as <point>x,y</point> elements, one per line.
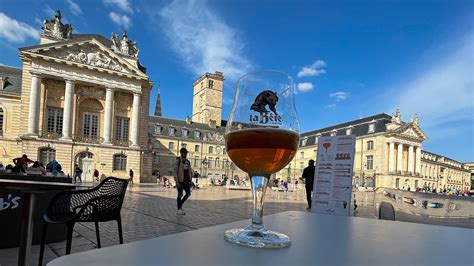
<point>262,136</point>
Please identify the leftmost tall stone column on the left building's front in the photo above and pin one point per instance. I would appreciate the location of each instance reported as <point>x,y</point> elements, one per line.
<point>33,112</point>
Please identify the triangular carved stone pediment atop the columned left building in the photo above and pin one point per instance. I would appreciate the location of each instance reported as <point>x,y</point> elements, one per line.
<point>90,53</point>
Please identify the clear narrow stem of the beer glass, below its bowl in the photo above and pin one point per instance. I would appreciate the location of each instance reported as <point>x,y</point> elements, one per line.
<point>259,186</point>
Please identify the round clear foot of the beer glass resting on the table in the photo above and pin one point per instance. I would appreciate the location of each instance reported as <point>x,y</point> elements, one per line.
<point>257,237</point>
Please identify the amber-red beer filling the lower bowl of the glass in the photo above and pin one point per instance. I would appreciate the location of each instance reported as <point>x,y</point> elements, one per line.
<point>261,151</point>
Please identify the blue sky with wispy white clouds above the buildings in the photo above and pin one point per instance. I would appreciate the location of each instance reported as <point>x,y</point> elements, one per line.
<point>350,59</point>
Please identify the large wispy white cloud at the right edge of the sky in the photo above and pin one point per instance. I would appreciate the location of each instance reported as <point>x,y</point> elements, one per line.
<point>443,92</point>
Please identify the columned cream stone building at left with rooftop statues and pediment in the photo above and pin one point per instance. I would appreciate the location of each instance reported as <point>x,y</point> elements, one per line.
<point>78,98</point>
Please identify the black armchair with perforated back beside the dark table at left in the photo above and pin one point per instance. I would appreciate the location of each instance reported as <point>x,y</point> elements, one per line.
<point>100,204</point>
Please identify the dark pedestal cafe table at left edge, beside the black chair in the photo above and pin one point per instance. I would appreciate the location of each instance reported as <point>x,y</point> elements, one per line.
<point>29,190</point>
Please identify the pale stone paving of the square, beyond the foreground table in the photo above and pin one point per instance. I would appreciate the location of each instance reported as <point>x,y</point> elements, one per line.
<point>150,211</point>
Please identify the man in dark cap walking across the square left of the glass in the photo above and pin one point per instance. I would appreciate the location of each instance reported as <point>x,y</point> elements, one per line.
<point>182,178</point>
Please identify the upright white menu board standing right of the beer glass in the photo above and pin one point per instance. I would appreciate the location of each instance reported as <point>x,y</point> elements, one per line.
<point>333,175</point>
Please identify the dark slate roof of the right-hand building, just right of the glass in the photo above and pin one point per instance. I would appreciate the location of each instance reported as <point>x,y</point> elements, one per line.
<point>360,127</point>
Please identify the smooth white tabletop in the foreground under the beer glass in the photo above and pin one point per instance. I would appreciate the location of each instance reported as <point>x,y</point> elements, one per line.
<point>318,239</point>
